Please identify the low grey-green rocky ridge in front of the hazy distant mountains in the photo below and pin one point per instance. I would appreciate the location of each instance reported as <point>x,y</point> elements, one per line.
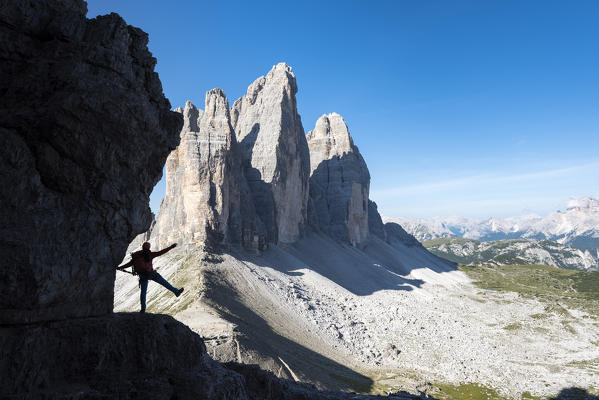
<point>512,251</point>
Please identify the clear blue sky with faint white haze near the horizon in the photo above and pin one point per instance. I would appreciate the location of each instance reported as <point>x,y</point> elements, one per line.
<point>470,108</point>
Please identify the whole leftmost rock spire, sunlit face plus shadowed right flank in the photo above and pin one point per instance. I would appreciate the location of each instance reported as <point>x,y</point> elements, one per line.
<point>207,200</point>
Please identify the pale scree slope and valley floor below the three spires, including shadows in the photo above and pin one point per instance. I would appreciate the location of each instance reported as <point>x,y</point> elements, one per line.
<point>361,320</point>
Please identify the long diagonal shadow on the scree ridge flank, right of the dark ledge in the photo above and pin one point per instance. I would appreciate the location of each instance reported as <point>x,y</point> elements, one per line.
<point>291,358</point>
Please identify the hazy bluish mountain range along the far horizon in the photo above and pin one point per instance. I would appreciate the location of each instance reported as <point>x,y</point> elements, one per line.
<point>577,226</point>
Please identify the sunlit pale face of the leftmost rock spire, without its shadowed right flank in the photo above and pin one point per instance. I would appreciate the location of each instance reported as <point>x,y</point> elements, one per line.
<point>198,177</point>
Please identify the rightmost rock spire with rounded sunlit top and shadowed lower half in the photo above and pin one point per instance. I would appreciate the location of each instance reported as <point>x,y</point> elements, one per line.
<point>339,180</point>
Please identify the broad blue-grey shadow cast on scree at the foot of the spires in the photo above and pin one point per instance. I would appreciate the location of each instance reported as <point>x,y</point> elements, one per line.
<point>377,266</point>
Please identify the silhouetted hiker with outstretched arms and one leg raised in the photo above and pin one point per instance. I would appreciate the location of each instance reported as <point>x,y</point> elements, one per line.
<point>142,265</point>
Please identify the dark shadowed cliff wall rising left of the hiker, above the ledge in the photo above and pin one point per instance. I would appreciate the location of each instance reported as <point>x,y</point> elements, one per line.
<point>84,132</point>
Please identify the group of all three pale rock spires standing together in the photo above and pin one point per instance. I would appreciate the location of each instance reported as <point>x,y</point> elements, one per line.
<point>249,175</point>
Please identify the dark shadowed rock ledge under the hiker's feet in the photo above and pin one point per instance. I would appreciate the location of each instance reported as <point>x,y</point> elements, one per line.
<point>116,356</point>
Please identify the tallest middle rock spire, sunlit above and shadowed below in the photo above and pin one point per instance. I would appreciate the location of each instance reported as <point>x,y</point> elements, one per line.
<point>275,153</point>
